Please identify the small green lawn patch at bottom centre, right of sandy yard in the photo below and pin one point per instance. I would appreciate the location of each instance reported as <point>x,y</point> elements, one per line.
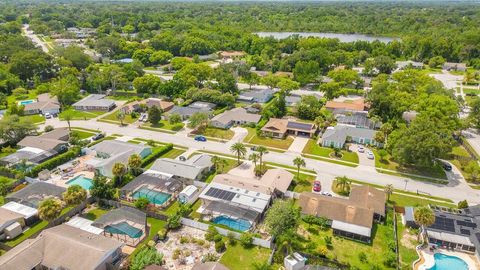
<point>237,257</point>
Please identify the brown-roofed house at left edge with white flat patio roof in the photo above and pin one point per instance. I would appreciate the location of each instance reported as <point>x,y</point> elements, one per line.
<point>37,149</point>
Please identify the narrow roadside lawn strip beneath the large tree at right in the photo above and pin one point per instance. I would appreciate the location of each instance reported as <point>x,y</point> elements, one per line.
<point>389,164</point>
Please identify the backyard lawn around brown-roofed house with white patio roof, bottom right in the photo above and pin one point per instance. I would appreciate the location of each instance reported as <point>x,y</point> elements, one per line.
<point>347,251</point>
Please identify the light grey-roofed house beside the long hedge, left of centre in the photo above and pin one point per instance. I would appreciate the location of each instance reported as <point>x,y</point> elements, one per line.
<point>108,152</point>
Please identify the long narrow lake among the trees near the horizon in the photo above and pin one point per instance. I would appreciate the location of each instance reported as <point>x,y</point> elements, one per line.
<point>341,37</point>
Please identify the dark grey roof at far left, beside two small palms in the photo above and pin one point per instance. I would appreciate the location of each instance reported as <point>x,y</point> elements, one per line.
<point>34,193</point>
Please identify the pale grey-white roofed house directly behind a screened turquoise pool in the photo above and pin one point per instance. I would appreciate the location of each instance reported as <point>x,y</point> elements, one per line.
<point>193,169</point>
